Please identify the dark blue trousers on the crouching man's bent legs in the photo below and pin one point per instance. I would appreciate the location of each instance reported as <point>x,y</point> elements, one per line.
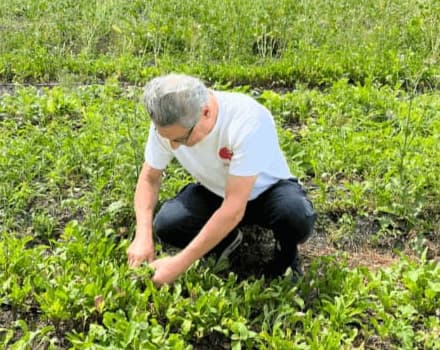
<point>283,208</point>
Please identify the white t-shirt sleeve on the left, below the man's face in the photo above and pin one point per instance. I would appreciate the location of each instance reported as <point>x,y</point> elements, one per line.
<point>157,153</point>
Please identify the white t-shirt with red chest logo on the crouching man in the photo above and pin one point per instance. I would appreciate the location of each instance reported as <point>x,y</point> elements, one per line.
<point>243,142</point>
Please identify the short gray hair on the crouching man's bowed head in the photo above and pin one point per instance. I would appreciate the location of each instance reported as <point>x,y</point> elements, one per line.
<point>175,99</point>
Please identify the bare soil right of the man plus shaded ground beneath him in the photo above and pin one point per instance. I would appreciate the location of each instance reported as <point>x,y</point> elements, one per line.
<point>358,249</point>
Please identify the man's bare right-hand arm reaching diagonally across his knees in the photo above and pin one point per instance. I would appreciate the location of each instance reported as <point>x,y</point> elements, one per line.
<point>223,221</point>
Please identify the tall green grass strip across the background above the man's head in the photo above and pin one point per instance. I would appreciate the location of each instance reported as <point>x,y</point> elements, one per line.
<point>260,42</point>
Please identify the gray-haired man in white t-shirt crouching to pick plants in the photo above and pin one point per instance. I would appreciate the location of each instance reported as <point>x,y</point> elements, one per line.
<point>228,143</point>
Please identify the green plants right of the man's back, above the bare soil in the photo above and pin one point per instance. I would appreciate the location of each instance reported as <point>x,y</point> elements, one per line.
<point>369,149</point>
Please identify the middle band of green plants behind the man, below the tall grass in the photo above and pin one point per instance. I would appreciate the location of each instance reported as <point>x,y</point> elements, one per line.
<point>361,151</point>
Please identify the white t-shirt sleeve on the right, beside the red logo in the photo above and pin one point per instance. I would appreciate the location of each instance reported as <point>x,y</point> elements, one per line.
<point>254,145</point>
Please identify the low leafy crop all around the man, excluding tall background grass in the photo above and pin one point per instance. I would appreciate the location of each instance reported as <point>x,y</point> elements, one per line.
<point>70,159</point>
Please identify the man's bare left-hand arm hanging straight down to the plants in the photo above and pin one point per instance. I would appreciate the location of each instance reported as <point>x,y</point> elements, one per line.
<point>145,199</point>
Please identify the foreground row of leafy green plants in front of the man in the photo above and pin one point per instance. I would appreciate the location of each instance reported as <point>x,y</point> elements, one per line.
<point>81,294</point>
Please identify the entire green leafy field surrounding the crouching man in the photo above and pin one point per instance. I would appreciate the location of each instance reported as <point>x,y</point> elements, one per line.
<point>354,87</point>
